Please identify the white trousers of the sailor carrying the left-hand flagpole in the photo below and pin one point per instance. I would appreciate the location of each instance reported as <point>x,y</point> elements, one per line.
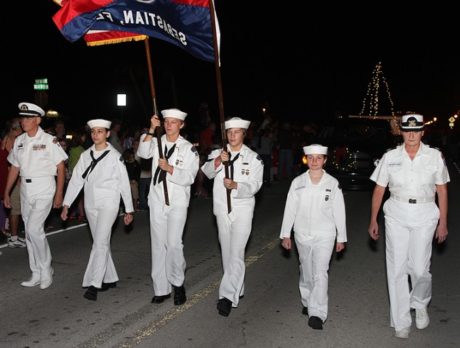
<point>168,262</point>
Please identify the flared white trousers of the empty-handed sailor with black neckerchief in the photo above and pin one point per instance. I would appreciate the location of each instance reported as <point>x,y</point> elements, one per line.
<point>100,266</point>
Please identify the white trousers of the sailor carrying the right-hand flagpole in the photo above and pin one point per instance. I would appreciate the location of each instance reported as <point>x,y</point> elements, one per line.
<point>234,231</point>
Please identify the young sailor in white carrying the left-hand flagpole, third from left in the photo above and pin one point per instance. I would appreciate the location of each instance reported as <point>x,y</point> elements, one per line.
<point>178,169</point>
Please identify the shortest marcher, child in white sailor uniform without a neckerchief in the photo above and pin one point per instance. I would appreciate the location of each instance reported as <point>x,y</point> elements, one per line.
<point>316,209</point>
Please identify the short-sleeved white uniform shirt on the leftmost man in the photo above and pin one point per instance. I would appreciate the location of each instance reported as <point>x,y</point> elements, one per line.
<point>36,156</point>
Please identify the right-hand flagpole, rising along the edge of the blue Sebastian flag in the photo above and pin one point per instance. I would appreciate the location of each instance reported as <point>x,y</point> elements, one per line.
<point>220,95</point>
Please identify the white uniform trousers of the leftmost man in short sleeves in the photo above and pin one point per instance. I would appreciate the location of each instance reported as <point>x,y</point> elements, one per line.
<point>36,202</point>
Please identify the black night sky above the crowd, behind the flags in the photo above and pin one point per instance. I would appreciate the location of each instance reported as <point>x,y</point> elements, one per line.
<point>307,64</point>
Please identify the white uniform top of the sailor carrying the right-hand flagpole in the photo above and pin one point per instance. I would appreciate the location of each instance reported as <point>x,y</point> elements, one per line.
<point>248,173</point>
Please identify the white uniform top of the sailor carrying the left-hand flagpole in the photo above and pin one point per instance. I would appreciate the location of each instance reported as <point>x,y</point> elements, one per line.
<point>186,163</point>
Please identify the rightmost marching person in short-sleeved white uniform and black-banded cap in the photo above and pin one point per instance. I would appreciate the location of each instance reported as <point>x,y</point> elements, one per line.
<point>414,173</point>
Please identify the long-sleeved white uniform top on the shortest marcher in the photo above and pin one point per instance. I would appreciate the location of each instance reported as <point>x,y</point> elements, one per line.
<point>315,209</point>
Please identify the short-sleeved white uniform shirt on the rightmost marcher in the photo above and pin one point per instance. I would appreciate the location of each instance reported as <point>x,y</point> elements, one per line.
<point>411,178</point>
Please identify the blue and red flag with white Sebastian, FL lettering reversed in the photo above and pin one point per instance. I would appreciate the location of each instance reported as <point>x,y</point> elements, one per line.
<point>184,23</point>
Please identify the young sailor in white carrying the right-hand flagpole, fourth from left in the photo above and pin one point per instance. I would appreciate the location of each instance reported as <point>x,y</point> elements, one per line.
<point>246,177</point>
